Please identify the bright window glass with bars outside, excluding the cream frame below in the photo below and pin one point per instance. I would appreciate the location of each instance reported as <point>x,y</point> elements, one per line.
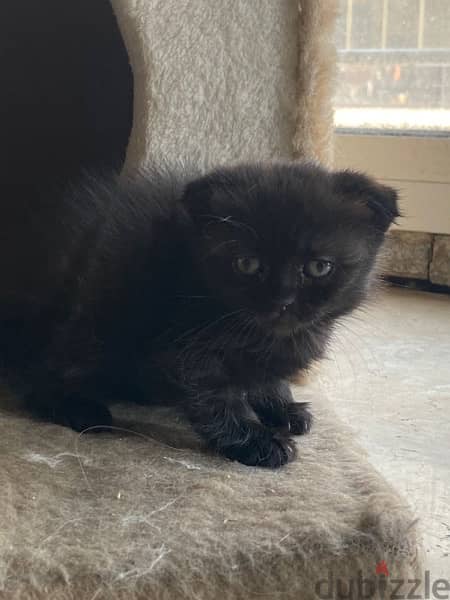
<point>394,64</point>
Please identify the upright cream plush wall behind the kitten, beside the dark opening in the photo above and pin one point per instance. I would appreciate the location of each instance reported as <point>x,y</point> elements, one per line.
<point>217,82</point>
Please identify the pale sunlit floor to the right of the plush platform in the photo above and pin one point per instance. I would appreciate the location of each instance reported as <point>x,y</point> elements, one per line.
<point>389,375</point>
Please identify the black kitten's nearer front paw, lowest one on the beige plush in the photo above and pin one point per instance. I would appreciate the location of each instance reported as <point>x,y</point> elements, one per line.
<point>266,450</point>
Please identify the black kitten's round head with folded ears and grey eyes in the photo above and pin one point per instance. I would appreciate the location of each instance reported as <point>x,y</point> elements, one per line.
<point>292,244</point>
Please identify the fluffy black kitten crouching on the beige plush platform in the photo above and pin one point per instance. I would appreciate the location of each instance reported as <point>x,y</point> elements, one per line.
<point>212,292</point>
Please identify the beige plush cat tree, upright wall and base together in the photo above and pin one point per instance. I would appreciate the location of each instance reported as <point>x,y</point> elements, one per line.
<point>143,512</point>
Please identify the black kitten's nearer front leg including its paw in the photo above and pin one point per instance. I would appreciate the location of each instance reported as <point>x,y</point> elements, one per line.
<point>228,424</point>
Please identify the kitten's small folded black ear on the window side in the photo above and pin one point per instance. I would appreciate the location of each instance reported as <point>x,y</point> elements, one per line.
<point>373,201</point>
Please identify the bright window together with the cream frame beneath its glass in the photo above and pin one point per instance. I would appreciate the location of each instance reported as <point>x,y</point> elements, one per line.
<point>393,101</point>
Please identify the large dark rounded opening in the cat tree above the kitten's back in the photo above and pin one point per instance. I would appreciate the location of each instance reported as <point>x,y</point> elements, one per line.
<point>67,92</point>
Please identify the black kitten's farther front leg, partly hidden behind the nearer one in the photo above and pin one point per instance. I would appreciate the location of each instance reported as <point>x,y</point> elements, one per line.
<point>276,408</point>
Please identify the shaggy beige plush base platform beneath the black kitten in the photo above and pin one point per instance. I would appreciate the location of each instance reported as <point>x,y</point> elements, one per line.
<point>145,512</point>
